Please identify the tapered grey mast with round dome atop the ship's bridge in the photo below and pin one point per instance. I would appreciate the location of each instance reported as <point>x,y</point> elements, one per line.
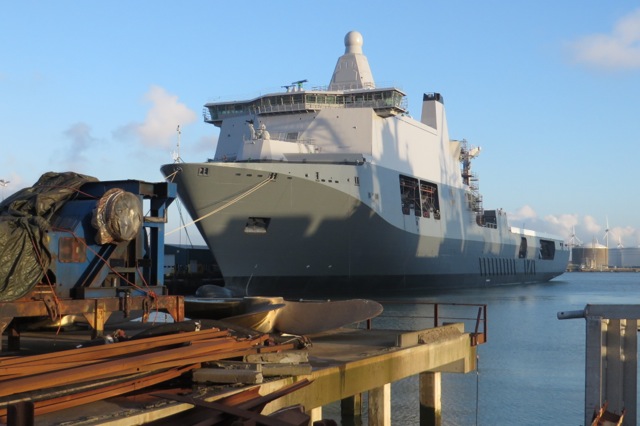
<point>352,70</point>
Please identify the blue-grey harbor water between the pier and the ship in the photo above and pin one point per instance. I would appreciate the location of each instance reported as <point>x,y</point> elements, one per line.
<point>531,371</point>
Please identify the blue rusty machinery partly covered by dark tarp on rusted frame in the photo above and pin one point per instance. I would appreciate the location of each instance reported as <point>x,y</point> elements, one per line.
<point>91,252</point>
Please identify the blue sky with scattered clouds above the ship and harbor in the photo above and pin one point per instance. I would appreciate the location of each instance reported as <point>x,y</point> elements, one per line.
<point>550,90</point>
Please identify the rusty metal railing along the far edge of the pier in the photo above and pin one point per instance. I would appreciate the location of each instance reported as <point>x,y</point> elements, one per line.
<point>416,315</point>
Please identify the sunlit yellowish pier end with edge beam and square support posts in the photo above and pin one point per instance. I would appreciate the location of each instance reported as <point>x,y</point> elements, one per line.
<point>351,362</point>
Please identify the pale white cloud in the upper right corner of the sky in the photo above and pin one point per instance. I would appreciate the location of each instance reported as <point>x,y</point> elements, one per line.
<point>615,51</point>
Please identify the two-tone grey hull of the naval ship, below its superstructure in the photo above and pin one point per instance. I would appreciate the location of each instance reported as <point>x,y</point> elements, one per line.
<point>327,230</point>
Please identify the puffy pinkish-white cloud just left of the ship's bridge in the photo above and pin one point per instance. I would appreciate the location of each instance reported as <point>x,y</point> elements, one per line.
<point>159,128</point>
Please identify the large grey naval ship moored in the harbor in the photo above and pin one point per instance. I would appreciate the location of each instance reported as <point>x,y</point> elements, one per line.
<point>337,191</point>
